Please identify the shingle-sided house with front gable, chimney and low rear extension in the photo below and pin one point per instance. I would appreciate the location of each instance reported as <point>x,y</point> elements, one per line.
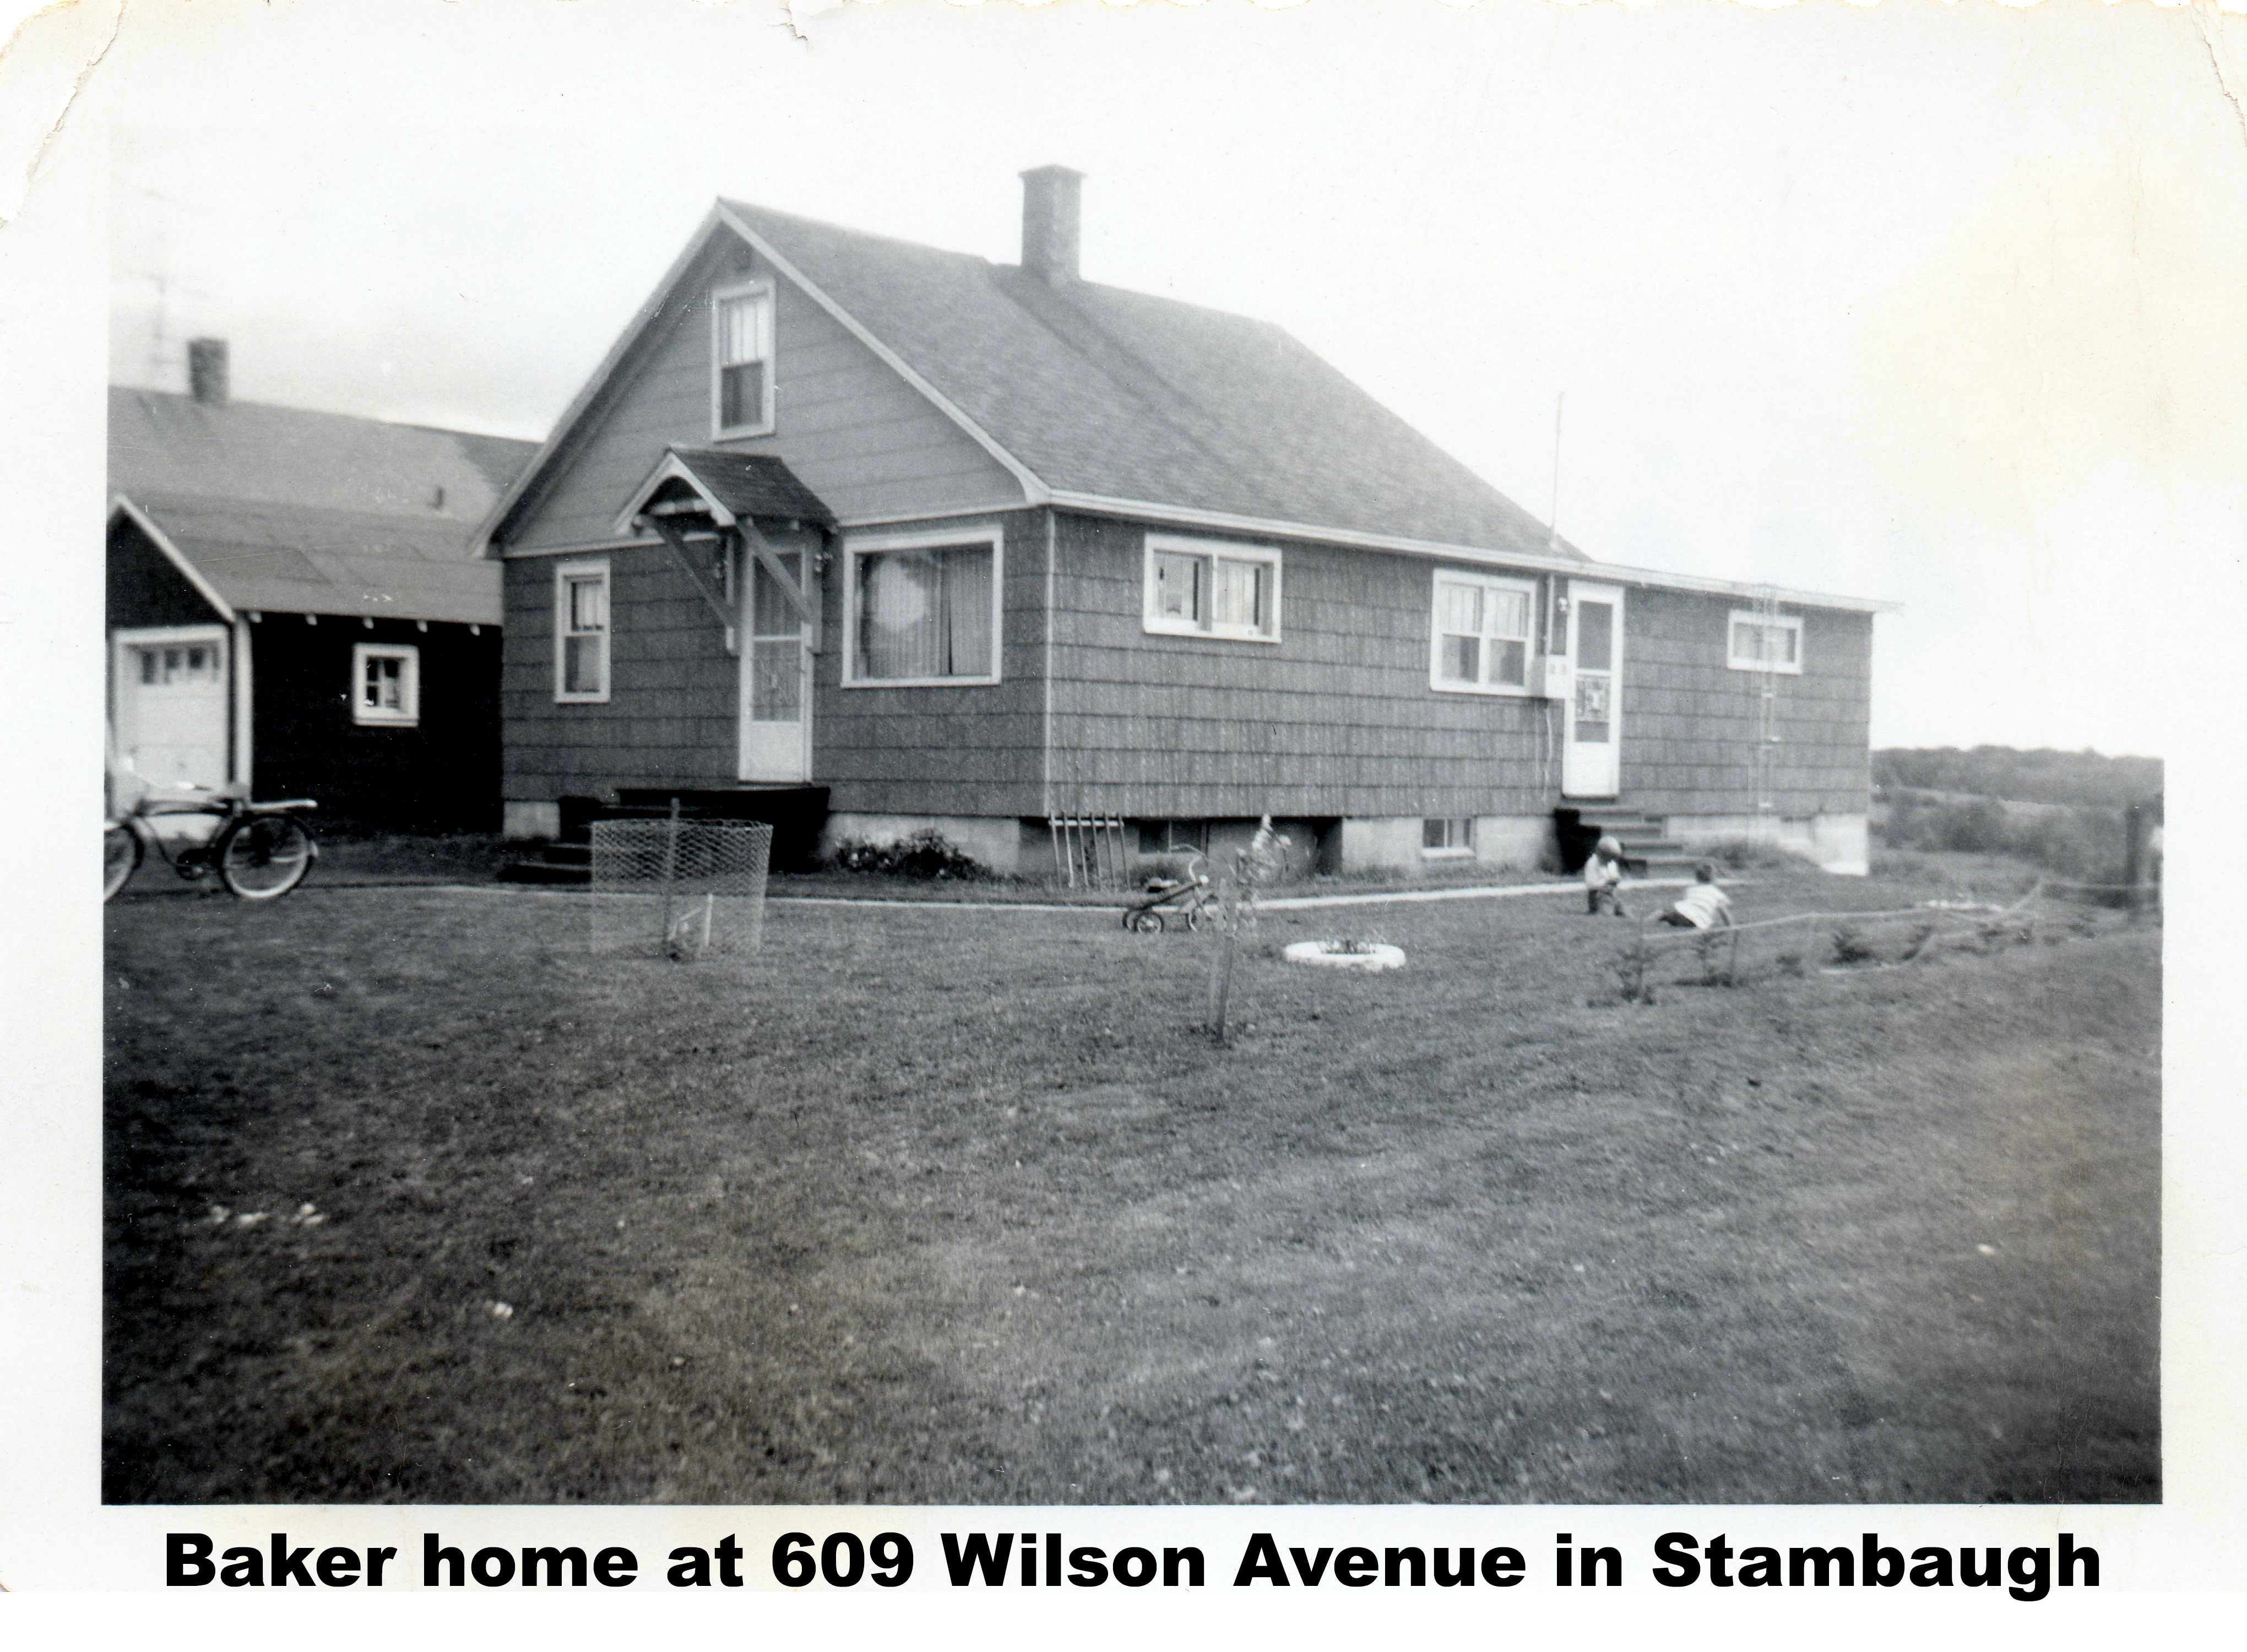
<point>979,547</point>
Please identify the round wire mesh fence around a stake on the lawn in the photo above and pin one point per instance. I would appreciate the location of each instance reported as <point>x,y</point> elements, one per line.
<point>680,889</point>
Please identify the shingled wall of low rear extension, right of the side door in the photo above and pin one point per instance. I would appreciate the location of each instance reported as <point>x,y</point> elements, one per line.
<point>1691,725</point>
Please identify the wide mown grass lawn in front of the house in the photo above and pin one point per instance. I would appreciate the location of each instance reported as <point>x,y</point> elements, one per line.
<point>954,1208</point>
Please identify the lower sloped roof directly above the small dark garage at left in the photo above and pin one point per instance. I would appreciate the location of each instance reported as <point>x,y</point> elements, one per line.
<point>309,561</point>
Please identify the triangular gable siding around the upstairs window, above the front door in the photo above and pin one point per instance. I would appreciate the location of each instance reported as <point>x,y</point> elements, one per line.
<point>850,428</point>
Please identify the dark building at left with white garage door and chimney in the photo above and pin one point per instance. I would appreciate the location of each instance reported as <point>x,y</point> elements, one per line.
<point>295,603</point>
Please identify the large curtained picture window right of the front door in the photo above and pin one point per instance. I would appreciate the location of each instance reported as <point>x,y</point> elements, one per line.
<point>922,608</point>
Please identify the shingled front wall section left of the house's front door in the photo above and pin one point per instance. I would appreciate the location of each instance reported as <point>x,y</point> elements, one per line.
<point>671,714</point>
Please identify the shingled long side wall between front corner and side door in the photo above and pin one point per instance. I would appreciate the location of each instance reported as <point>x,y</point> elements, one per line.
<point>1334,720</point>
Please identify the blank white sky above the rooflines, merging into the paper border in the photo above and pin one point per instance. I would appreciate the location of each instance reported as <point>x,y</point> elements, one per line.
<point>1922,302</point>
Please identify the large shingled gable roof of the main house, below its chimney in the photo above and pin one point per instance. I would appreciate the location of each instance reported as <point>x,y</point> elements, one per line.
<point>1102,397</point>
